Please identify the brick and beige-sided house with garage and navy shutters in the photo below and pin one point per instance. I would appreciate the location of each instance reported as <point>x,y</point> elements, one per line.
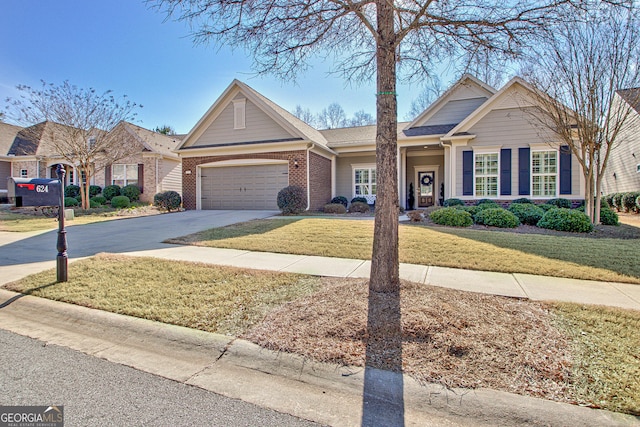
<point>473,142</point>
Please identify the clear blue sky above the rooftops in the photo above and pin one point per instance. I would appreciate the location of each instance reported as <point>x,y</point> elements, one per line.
<point>124,46</point>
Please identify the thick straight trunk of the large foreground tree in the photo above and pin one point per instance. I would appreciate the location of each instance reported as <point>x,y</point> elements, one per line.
<point>385,275</point>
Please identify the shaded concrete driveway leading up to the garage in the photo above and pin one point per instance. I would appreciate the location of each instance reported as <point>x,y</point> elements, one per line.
<point>117,236</point>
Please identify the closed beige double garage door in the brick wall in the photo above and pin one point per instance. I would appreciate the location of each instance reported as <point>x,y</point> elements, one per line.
<point>243,187</point>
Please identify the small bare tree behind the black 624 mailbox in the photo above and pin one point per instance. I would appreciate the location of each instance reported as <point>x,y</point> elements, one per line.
<point>81,121</point>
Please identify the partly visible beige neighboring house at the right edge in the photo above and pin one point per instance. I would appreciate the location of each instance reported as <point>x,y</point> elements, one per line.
<point>623,168</point>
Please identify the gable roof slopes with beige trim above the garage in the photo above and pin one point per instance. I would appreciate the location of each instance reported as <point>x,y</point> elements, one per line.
<point>296,127</point>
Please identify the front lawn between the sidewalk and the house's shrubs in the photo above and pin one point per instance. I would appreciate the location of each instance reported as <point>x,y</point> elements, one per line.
<point>549,255</point>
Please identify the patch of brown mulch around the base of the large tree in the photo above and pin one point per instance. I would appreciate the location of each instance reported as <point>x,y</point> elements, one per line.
<point>456,338</point>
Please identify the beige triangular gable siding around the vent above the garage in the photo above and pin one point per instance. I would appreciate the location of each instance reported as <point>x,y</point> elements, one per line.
<point>259,127</point>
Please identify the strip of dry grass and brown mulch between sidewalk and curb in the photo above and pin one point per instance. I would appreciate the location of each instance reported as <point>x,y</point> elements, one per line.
<point>564,352</point>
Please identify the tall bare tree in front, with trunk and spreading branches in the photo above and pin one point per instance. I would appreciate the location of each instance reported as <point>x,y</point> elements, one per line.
<point>363,39</point>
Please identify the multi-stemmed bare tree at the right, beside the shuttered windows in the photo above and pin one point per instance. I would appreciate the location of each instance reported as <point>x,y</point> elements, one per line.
<point>578,68</point>
